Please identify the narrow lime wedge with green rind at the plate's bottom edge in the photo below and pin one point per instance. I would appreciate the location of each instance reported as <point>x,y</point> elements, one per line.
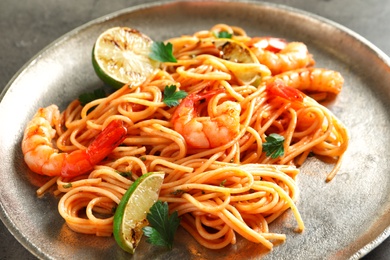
<point>130,216</point>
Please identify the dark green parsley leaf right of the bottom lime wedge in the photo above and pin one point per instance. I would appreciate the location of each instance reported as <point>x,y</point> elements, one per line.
<point>163,227</point>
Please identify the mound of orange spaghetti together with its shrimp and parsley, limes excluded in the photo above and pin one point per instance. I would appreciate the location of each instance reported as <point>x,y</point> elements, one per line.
<point>229,118</point>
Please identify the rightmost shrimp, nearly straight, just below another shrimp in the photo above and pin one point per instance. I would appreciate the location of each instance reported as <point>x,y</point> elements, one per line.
<point>312,80</point>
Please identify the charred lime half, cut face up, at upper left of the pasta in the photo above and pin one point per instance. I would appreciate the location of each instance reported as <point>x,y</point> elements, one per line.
<point>121,56</point>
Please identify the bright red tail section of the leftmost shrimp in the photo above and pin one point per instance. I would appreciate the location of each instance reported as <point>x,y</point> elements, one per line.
<point>82,161</point>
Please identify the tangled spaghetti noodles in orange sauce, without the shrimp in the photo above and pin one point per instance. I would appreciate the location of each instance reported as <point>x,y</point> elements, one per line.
<point>221,190</point>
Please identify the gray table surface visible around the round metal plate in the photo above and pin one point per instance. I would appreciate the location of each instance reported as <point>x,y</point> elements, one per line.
<point>26,27</point>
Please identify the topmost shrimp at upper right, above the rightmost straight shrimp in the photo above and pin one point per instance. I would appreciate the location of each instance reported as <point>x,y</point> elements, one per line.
<point>280,56</point>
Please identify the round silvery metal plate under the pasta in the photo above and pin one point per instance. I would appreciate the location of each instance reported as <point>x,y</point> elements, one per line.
<point>345,218</point>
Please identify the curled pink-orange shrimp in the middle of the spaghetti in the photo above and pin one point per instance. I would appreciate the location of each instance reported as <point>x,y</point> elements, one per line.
<point>206,132</point>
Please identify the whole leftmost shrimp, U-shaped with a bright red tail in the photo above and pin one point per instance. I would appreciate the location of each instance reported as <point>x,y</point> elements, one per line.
<point>42,158</point>
